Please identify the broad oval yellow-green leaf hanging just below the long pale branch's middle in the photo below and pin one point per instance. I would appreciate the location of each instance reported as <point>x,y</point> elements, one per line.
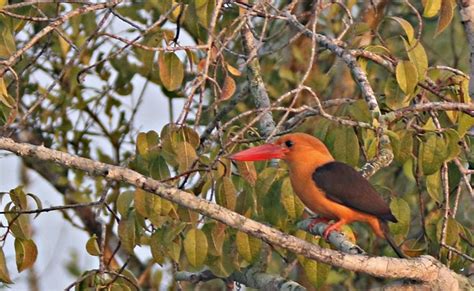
<point>195,247</point>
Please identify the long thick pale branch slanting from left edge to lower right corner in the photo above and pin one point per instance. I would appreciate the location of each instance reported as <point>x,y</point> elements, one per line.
<point>424,268</point>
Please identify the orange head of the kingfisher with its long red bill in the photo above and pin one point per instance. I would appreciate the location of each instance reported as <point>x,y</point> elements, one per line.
<point>294,148</point>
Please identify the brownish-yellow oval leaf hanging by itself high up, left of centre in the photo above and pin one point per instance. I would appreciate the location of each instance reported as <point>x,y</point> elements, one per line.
<point>171,71</point>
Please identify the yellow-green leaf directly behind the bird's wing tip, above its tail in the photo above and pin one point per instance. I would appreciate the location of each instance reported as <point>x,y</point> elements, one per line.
<point>401,210</point>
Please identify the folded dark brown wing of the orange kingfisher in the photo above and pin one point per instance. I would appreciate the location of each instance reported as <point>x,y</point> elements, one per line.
<point>344,185</point>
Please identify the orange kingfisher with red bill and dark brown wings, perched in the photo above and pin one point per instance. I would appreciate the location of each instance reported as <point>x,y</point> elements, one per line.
<point>329,188</point>
